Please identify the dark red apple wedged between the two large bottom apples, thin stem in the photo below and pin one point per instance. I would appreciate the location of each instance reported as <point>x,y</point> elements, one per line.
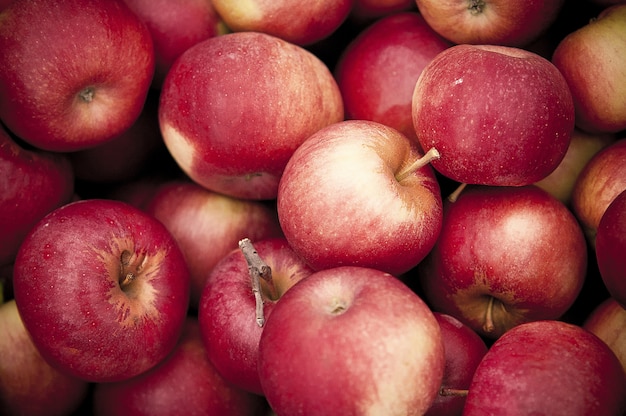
<point>464,349</point>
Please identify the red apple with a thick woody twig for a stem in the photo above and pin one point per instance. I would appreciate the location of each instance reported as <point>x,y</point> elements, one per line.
<point>227,309</point>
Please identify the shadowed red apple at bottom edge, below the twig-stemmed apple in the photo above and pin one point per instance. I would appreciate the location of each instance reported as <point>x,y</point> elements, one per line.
<point>184,383</point>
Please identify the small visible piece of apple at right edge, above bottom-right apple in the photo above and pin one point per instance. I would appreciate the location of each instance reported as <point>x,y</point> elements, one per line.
<point>608,322</point>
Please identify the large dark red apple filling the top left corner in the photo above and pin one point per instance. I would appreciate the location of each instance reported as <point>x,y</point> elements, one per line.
<point>57,99</point>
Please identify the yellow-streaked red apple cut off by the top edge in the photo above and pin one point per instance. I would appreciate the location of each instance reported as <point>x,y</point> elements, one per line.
<point>286,19</point>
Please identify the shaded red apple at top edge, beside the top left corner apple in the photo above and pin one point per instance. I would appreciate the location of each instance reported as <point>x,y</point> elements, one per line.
<point>176,26</point>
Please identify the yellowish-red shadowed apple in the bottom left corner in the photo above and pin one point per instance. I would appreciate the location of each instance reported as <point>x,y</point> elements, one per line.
<point>28,384</point>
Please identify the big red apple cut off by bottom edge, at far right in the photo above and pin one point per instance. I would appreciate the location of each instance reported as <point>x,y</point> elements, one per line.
<point>548,367</point>
